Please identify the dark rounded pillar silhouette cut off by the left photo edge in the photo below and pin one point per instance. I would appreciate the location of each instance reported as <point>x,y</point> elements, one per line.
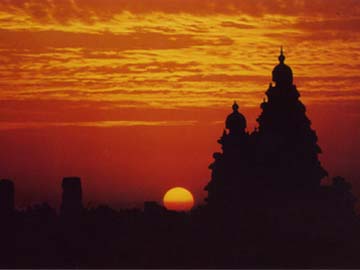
<point>7,197</point>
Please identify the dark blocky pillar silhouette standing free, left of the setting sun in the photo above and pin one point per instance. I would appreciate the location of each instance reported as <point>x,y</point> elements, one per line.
<point>71,206</point>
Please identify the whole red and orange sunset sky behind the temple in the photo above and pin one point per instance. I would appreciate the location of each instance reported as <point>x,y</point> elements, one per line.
<point>132,95</point>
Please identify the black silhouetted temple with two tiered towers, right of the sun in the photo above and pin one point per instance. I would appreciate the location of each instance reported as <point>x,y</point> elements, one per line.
<point>280,157</point>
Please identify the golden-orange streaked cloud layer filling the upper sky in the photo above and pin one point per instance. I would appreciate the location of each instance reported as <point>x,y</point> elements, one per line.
<point>171,54</point>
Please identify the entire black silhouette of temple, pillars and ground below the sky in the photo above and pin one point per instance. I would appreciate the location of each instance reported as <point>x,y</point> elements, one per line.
<point>266,208</point>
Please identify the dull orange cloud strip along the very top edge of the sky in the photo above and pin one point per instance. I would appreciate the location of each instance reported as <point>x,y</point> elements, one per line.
<point>90,10</point>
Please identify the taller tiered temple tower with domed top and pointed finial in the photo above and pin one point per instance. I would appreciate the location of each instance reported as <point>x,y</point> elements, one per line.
<point>286,148</point>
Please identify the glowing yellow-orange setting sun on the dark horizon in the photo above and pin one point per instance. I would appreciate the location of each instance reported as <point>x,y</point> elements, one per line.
<point>178,199</point>
